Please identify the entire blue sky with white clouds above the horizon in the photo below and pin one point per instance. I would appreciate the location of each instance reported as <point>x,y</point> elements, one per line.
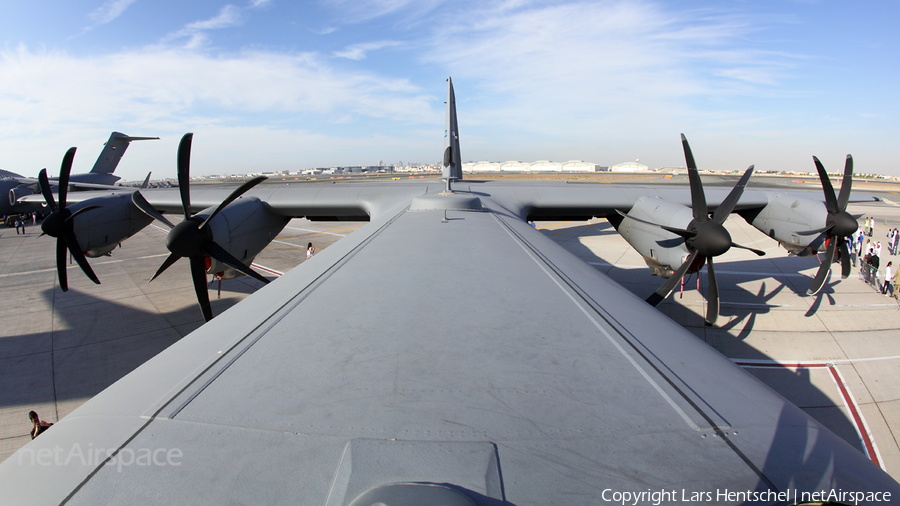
<point>275,85</point>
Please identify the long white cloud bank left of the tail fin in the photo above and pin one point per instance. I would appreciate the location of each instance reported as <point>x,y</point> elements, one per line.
<point>50,98</point>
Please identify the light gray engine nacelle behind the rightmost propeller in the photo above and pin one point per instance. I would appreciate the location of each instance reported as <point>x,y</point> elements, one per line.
<point>785,215</point>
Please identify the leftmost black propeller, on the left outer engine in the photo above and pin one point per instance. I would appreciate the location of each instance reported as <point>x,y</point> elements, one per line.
<point>59,223</point>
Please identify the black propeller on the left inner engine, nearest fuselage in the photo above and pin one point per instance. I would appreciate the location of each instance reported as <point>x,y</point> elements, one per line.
<point>192,238</point>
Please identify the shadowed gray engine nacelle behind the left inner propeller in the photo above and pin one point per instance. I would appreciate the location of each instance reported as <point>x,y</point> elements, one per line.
<point>244,228</point>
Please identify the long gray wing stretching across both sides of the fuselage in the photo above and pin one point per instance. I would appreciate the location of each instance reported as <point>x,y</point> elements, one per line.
<point>527,199</point>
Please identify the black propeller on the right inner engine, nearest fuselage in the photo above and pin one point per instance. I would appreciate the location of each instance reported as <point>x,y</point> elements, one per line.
<point>705,237</point>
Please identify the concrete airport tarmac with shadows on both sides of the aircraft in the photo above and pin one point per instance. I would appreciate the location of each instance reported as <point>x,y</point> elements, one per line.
<point>835,355</point>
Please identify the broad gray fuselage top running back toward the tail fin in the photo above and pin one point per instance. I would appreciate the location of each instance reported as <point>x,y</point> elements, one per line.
<point>425,349</point>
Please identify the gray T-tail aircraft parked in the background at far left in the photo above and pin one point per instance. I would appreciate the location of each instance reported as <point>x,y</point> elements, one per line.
<point>100,176</point>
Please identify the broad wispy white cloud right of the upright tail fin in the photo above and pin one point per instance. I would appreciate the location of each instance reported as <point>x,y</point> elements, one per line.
<point>614,73</point>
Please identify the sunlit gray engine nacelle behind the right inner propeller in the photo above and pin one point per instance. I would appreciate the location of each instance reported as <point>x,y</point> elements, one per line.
<point>662,250</point>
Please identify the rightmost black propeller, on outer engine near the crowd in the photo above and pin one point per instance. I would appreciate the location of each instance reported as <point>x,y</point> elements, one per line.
<point>839,224</point>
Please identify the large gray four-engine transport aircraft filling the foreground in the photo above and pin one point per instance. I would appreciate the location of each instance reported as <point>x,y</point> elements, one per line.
<point>486,366</point>
